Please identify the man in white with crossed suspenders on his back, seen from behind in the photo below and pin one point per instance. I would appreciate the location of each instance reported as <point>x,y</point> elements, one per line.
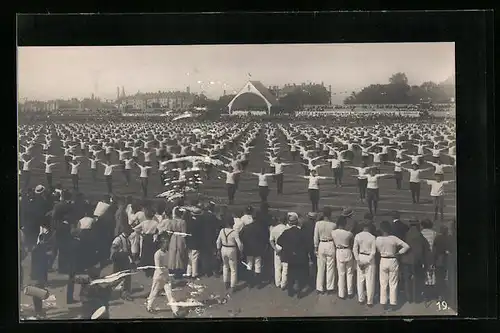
<point>228,244</point>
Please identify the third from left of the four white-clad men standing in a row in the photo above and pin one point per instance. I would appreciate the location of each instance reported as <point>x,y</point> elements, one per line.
<point>364,250</point>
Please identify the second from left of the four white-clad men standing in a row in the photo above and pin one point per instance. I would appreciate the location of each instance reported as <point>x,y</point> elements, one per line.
<point>345,262</point>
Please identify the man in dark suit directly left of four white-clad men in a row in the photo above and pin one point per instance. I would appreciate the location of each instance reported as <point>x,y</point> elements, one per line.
<point>294,253</point>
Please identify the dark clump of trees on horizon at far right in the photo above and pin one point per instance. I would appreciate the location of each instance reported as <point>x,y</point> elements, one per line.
<point>398,91</point>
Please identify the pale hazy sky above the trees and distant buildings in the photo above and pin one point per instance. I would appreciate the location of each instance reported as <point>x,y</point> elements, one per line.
<point>64,72</point>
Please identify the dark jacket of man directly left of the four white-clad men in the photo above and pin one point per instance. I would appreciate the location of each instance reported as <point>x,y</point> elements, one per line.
<point>295,251</point>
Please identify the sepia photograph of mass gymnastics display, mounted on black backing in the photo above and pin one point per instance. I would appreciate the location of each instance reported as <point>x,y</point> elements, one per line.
<point>237,180</point>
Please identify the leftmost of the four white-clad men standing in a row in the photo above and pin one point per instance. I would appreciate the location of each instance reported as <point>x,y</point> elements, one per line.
<point>325,252</point>
